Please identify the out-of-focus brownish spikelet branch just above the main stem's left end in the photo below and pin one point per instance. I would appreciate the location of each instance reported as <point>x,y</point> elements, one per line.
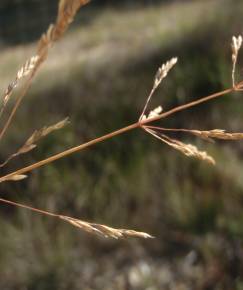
<point>30,144</point>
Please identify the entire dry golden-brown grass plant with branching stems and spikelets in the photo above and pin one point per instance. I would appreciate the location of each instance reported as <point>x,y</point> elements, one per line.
<point>66,12</point>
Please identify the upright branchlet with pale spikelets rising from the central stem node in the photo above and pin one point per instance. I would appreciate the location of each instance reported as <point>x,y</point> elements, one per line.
<point>160,75</point>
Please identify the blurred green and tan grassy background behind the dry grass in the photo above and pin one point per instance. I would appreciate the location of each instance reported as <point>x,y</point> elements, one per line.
<point>99,75</point>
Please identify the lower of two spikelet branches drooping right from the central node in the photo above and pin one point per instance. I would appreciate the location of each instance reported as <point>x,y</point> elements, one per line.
<point>187,149</point>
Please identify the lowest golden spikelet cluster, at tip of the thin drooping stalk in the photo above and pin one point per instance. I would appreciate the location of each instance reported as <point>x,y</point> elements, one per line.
<point>104,230</point>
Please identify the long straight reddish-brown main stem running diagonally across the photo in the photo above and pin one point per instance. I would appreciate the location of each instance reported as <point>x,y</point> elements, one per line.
<point>113,134</point>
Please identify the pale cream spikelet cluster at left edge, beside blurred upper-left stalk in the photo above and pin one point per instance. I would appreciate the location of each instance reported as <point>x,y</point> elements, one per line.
<point>24,71</point>
